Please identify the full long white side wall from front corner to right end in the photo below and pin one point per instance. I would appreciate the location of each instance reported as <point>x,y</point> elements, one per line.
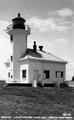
<point>41,66</point>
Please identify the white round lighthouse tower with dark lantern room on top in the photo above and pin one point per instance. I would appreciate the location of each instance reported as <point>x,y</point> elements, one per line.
<point>18,32</point>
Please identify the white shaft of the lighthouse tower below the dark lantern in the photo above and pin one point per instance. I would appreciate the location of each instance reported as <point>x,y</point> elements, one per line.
<point>19,48</point>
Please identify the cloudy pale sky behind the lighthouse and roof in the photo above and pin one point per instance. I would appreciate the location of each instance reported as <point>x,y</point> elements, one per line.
<point>51,23</point>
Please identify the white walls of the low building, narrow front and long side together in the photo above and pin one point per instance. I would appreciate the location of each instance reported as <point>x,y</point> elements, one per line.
<point>32,66</point>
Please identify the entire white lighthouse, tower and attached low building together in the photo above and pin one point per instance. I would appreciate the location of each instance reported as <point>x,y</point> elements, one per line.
<point>28,65</point>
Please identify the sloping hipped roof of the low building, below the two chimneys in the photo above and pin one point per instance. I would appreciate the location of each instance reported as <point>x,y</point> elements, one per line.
<point>41,55</point>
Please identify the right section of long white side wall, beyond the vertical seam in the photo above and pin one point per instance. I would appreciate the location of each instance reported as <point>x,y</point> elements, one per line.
<point>53,67</point>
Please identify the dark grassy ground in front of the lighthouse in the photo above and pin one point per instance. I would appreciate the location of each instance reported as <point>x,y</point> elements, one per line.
<point>28,101</point>
